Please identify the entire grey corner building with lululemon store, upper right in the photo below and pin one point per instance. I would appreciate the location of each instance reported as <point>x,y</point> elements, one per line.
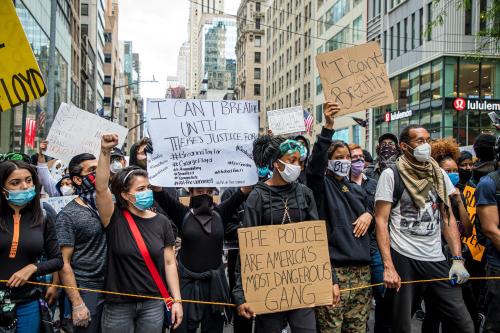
<point>435,83</point>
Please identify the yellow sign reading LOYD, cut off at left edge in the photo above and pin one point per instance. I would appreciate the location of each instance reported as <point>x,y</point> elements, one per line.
<point>20,77</point>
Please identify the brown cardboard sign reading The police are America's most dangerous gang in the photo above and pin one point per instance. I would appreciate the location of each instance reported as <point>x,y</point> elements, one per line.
<point>285,266</point>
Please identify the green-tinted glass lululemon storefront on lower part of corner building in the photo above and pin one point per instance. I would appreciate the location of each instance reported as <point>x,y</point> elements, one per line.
<point>425,95</point>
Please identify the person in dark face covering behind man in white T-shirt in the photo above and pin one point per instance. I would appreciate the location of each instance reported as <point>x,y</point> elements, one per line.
<point>387,151</point>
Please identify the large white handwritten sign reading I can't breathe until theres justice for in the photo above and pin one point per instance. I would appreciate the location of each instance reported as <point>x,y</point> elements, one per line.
<point>201,143</point>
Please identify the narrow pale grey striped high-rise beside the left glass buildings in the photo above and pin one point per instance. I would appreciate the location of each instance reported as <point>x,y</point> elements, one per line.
<point>92,20</point>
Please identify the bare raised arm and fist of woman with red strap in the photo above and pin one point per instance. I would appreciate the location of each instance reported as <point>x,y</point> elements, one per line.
<point>104,199</point>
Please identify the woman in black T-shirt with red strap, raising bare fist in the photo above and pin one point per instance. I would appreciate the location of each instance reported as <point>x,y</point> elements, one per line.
<point>140,250</point>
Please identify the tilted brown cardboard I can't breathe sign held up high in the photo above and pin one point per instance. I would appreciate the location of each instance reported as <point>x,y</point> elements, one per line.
<point>355,78</point>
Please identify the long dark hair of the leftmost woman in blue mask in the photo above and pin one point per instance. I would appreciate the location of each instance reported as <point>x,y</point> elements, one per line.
<point>6,169</point>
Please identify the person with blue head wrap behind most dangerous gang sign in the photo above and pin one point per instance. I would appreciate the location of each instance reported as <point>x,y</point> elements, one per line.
<point>278,200</point>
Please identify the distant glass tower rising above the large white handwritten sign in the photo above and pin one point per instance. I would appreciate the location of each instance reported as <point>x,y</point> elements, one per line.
<point>219,57</point>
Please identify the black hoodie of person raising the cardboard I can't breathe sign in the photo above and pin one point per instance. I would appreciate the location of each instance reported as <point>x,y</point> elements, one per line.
<point>340,203</point>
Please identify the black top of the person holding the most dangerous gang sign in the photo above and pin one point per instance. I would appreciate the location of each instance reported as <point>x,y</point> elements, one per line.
<point>265,206</point>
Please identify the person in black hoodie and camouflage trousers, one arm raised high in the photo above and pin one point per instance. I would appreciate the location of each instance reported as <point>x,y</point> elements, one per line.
<point>348,216</point>
